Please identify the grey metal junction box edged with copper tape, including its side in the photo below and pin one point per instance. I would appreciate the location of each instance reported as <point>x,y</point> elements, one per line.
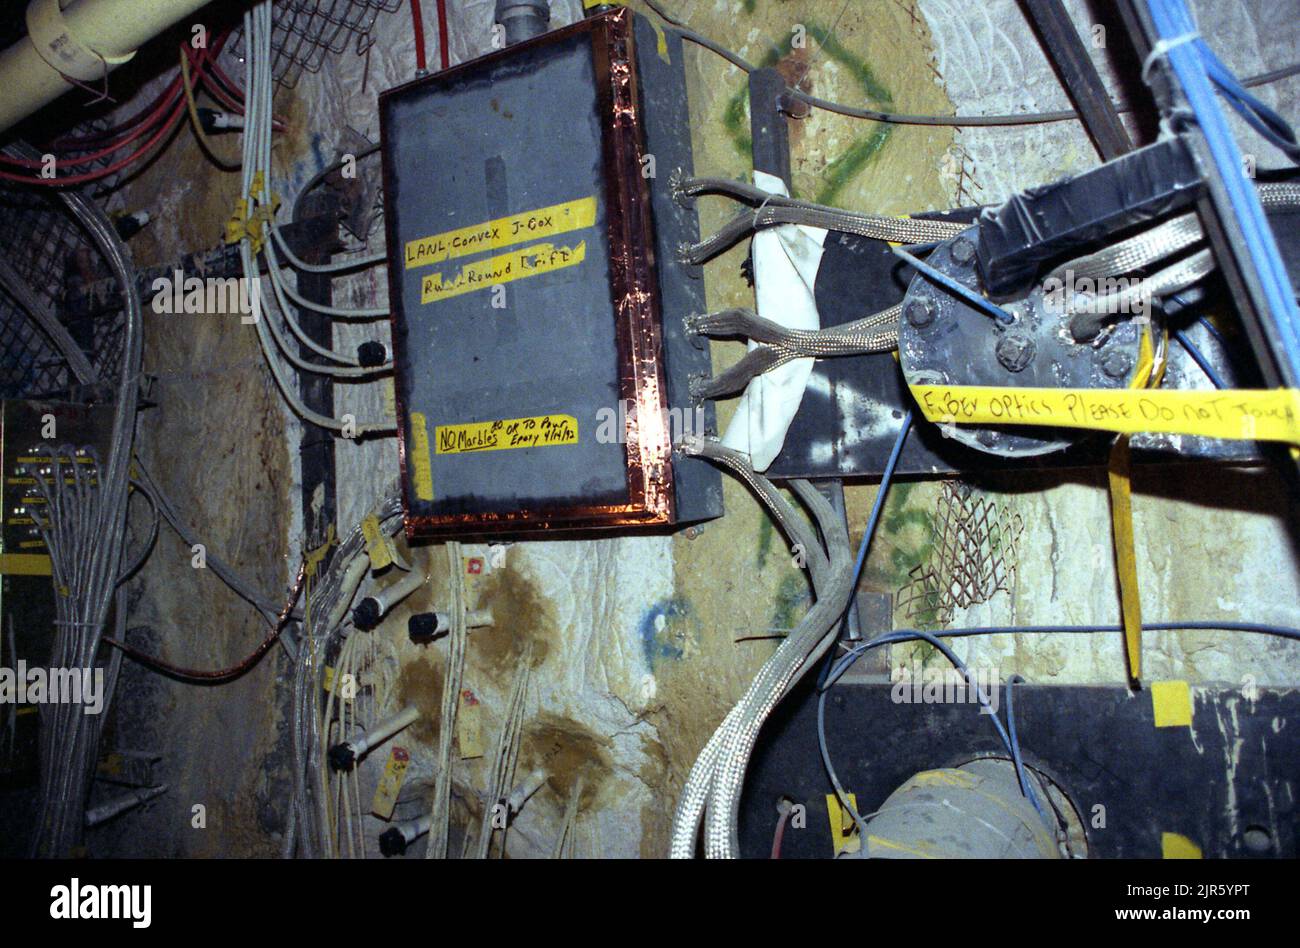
<point>538,302</point>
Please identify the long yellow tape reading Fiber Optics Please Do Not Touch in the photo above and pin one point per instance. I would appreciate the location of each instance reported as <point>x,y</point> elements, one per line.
<point>1242,414</point>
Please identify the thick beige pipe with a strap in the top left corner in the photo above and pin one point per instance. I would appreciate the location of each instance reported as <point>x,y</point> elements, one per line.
<point>84,42</point>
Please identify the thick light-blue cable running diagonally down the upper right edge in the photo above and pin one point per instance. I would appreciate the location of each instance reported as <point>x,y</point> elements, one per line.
<point>1173,21</point>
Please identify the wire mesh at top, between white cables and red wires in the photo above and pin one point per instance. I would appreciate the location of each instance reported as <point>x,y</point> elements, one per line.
<point>305,31</point>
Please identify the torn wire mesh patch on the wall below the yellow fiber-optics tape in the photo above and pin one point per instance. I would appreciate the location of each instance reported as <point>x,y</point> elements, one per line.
<point>973,556</point>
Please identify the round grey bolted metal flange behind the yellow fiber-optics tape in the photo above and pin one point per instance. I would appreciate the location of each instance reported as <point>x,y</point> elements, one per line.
<point>946,341</point>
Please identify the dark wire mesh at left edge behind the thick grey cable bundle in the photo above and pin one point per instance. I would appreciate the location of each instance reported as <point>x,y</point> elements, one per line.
<point>54,256</point>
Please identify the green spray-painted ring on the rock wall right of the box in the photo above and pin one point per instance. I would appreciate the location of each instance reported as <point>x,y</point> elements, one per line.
<point>846,167</point>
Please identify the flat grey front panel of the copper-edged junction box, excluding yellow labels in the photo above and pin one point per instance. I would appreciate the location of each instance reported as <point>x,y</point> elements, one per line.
<point>513,136</point>
